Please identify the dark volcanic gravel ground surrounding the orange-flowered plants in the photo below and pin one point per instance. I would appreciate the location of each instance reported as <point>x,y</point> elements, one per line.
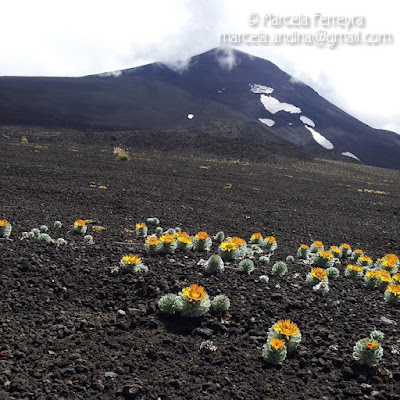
<point>62,337</point>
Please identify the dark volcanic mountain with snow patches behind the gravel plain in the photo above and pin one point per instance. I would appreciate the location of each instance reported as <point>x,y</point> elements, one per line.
<point>159,98</point>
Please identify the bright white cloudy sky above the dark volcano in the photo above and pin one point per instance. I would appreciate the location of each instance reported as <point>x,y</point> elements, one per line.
<point>75,38</point>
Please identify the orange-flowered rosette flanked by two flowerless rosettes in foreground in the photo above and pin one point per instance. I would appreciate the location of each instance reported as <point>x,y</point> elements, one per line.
<point>193,301</point>
